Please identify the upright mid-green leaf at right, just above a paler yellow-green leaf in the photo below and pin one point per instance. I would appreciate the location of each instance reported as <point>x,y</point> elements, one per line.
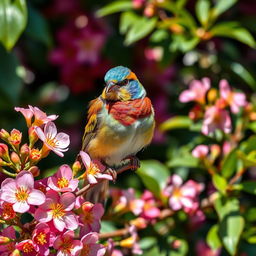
<point>229,164</point>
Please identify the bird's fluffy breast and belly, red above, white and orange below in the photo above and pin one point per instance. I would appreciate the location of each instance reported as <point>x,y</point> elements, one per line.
<point>124,129</point>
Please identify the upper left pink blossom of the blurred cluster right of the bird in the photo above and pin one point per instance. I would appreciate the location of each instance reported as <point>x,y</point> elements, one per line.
<point>197,91</point>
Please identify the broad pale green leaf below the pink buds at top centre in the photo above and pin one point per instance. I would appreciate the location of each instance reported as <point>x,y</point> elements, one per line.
<point>140,29</point>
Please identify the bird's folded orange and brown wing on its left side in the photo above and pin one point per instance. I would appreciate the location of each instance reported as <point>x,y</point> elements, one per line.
<point>91,127</point>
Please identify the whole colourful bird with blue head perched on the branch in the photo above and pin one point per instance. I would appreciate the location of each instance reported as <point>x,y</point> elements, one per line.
<point>120,122</point>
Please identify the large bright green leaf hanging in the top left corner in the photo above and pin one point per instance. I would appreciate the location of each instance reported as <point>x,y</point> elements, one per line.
<point>13,20</point>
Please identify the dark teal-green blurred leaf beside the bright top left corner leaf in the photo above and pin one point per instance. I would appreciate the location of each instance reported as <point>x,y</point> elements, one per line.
<point>37,27</point>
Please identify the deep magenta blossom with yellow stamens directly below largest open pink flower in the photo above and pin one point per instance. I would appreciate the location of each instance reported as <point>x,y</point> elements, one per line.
<point>41,238</point>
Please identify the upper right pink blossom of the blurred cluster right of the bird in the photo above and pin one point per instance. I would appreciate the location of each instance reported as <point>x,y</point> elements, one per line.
<point>235,100</point>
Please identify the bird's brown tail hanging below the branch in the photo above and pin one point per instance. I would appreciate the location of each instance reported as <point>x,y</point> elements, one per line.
<point>98,193</point>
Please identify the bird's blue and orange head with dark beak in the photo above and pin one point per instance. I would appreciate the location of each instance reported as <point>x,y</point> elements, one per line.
<point>122,84</point>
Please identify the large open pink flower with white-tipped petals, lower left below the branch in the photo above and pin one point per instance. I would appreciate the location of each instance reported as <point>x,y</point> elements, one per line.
<point>58,209</point>
